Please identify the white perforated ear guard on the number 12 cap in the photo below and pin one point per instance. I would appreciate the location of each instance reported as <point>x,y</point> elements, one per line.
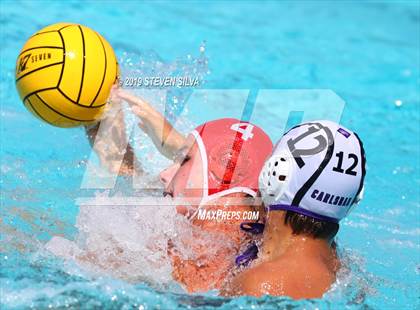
<point>274,177</point>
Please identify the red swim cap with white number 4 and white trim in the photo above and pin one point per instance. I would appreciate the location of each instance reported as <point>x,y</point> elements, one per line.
<point>233,153</point>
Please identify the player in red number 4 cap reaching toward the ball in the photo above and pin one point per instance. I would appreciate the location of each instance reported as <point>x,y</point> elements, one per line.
<point>215,173</point>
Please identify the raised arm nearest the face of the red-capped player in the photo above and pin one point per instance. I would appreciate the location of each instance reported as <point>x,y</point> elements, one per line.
<point>166,138</point>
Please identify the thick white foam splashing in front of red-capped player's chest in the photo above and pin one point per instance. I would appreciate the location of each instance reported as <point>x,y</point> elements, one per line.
<point>129,243</point>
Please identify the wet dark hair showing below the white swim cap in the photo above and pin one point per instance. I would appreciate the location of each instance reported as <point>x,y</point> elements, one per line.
<point>306,225</point>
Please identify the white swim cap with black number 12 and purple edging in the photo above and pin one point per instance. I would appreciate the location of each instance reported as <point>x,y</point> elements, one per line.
<point>316,169</point>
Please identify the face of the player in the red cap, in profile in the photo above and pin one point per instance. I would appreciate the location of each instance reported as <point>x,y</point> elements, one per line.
<point>184,178</point>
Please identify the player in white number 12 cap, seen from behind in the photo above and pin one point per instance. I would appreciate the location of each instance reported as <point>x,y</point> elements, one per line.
<point>312,180</point>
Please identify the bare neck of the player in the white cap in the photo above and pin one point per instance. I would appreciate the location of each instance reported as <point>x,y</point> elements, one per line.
<point>279,239</point>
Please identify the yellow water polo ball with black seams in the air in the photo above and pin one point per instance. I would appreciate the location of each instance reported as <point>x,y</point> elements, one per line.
<point>64,74</point>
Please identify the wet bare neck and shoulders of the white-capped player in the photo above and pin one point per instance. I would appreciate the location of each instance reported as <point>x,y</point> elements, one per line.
<point>291,265</point>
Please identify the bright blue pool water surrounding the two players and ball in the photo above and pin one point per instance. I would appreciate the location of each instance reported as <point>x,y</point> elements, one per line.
<point>367,52</point>
